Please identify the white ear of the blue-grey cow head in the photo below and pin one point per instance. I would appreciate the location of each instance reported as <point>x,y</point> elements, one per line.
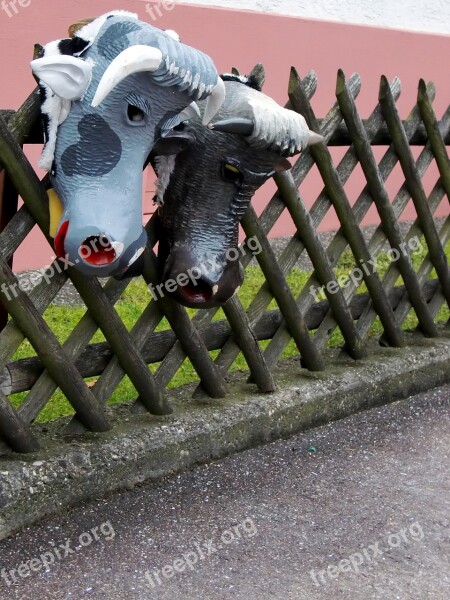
<point>67,76</point>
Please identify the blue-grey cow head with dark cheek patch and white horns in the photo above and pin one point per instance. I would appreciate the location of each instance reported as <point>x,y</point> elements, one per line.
<point>105,92</point>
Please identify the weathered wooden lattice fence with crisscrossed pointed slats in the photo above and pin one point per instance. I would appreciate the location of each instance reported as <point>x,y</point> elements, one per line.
<point>301,318</point>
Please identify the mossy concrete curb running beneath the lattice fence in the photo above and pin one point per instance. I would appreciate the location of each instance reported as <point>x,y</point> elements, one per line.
<point>141,448</point>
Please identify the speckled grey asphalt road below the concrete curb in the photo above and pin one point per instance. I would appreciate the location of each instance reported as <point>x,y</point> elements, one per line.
<point>359,509</point>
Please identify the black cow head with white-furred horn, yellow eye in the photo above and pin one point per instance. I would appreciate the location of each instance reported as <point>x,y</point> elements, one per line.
<point>207,177</point>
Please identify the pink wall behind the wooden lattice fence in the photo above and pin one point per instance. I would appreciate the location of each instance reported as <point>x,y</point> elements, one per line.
<point>241,39</point>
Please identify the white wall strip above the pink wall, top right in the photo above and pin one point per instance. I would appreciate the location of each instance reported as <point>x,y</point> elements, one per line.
<point>418,15</point>
